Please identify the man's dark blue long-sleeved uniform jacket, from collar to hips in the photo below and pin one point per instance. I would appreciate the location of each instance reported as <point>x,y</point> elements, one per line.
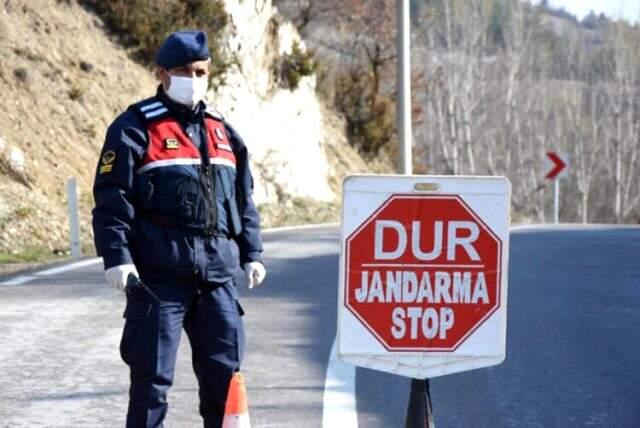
<point>156,218</point>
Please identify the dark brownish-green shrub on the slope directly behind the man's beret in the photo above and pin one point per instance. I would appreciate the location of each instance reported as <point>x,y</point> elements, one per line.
<point>144,24</point>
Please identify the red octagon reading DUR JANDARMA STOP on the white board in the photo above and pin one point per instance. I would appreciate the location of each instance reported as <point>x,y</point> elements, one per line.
<point>423,272</point>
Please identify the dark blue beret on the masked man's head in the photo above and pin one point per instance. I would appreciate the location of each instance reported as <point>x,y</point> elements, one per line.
<point>182,47</point>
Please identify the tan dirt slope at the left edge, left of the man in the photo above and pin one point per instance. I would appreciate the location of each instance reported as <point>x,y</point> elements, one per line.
<point>62,80</point>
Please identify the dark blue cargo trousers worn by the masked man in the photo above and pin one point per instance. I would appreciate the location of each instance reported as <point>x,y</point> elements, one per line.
<point>212,318</point>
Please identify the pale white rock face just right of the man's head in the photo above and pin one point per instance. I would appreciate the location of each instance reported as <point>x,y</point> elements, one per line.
<point>284,129</point>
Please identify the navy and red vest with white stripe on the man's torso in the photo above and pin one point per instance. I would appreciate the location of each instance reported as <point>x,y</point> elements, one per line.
<point>178,185</point>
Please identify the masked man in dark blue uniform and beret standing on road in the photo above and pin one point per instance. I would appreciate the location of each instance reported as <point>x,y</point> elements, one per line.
<point>174,210</point>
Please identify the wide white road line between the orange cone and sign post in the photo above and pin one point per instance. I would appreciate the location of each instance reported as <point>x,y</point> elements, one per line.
<point>339,400</point>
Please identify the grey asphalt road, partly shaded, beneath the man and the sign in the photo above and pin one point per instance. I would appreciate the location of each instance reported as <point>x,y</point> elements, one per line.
<point>572,350</point>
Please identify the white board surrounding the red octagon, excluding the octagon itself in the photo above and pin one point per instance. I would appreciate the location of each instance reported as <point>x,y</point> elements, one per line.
<point>483,196</point>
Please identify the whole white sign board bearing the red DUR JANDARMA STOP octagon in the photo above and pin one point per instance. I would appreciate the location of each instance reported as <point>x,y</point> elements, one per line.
<point>423,273</point>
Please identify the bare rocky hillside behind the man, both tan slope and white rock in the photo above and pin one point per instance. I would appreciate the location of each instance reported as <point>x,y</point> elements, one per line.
<point>63,78</point>
